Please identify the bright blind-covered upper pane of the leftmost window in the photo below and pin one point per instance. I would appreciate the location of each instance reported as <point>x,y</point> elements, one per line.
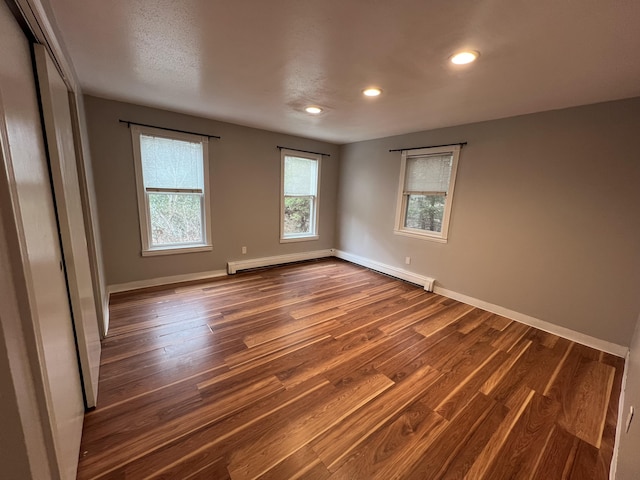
<point>168,163</point>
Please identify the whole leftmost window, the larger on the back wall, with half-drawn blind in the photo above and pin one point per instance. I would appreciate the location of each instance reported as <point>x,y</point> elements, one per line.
<point>173,191</point>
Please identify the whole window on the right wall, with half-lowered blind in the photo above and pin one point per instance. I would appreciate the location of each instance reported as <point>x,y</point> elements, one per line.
<point>427,177</point>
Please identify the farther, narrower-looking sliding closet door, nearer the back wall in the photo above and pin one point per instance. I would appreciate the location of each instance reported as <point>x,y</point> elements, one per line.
<point>62,156</point>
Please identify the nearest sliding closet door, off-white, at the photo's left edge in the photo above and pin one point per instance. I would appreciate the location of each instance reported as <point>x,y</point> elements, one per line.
<point>32,205</point>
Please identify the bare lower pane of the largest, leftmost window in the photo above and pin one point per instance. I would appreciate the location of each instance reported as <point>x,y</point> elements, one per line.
<point>175,218</point>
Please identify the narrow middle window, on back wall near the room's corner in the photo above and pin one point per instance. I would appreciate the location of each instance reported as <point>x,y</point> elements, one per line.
<point>299,199</point>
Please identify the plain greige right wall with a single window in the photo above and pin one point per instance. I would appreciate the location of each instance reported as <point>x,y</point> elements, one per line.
<point>545,219</point>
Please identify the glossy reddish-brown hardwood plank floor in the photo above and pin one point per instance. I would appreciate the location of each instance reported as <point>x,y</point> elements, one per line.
<point>326,370</point>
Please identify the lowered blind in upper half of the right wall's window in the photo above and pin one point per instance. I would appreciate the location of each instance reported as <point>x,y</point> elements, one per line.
<point>429,173</point>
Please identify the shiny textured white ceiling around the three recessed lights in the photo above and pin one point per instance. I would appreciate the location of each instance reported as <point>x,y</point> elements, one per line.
<point>260,62</point>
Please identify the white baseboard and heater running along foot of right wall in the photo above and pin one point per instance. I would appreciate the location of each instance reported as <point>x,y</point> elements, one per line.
<point>603,345</point>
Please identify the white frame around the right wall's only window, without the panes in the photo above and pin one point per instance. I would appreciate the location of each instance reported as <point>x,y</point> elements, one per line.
<point>402,198</point>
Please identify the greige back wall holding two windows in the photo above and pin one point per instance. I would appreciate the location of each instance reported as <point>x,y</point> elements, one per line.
<point>245,192</point>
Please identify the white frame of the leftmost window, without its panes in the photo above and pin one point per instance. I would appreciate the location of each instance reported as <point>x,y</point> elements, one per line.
<point>142,193</point>
